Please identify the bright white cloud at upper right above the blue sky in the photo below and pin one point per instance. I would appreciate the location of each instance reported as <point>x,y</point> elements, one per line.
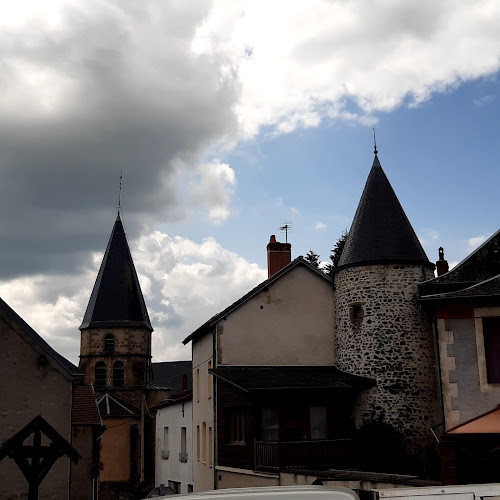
<point>300,63</point>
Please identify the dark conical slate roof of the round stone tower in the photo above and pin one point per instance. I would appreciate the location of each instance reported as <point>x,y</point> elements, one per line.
<point>380,231</point>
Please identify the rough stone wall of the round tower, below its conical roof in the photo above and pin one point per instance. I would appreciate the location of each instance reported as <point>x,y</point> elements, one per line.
<point>382,333</point>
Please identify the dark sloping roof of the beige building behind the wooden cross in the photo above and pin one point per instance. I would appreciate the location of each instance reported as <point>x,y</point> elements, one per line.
<point>23,329</point>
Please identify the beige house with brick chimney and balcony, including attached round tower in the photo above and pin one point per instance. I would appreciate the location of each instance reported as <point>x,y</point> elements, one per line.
<point>310,371</point>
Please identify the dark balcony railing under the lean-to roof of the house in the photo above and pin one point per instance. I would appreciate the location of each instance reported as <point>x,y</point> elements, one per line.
<point>271,455</point>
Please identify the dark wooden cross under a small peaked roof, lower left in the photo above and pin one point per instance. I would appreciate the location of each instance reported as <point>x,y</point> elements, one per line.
<point>35,460</point>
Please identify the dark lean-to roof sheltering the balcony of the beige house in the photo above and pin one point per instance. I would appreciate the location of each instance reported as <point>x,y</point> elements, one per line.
<point>250,378</point>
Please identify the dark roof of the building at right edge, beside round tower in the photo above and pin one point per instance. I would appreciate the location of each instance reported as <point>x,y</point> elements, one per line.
<point>480,266</point>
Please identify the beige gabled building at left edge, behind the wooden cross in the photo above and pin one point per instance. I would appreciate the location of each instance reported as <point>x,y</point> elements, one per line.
<point>36,381</point>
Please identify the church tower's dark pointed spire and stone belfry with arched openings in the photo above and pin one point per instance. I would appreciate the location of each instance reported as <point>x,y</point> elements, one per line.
<point>115,351</point>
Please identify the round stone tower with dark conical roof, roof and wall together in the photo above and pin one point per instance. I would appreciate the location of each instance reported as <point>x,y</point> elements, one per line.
<point>381,331</point>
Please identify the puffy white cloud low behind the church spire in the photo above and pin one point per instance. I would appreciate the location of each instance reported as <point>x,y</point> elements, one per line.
<point>184,284</point>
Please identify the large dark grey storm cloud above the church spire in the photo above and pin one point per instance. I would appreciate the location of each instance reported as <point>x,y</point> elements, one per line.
<point>112,88</point>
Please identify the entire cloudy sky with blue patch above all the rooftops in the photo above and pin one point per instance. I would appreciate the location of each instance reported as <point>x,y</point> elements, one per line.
<point>224,119</point>
